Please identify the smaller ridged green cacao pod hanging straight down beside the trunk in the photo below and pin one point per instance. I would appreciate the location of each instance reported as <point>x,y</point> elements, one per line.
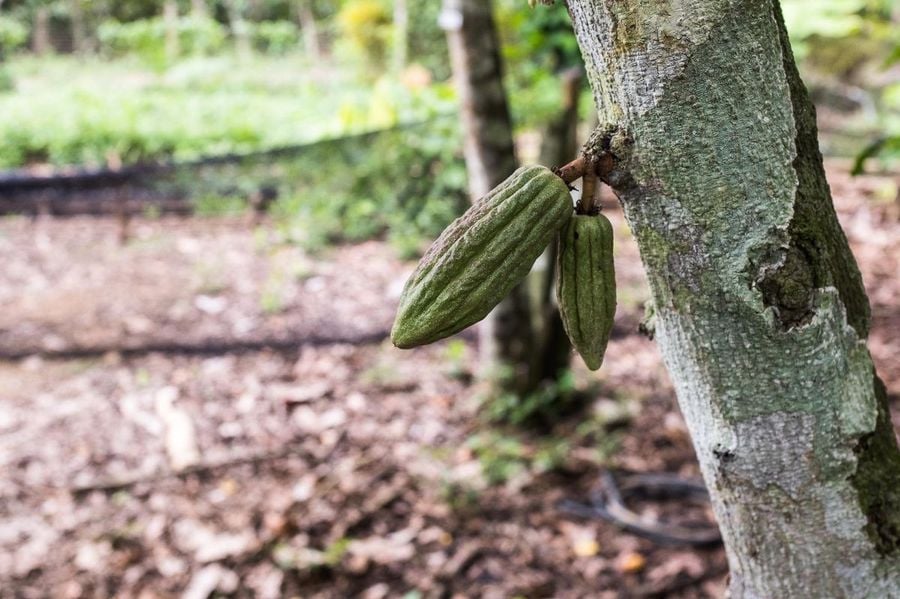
<point>586,285</point>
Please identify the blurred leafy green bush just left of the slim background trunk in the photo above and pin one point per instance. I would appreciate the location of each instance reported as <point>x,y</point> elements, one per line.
<point>409,183</point>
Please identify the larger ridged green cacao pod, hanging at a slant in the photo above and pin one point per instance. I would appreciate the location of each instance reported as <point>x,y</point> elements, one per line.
<point>481,256</point>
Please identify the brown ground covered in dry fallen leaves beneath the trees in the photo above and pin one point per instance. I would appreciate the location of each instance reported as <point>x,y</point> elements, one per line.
<point>205,411</point>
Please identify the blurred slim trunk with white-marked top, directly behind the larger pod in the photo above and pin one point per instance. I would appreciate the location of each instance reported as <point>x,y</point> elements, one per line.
<point>507,335</point>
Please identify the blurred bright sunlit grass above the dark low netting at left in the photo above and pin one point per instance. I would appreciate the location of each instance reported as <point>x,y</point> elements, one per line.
<point>66,110</point>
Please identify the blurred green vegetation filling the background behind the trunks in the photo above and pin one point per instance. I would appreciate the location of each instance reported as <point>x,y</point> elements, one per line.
<point>97,83</point>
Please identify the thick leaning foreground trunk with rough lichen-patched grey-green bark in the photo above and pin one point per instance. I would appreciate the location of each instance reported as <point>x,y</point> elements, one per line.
<point>760,309</point>
